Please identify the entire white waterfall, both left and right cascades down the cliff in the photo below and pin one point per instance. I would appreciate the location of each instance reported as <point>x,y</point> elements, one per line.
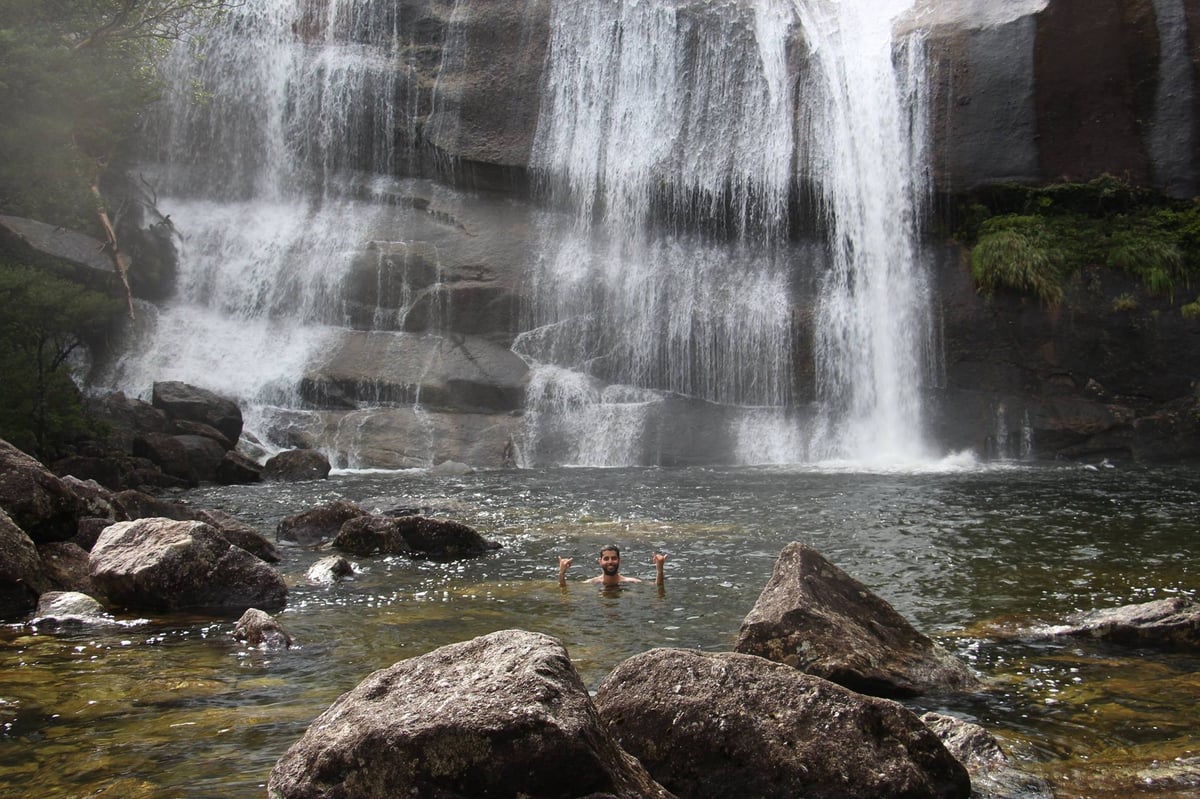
<point>680,147</point>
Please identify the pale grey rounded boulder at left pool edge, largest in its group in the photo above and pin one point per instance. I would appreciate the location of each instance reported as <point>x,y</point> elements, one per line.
<point>161,564</point>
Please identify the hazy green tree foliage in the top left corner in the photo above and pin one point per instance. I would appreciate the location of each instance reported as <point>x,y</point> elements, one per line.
<point>75,77</point>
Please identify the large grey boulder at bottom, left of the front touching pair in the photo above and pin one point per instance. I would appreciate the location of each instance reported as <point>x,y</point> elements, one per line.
<point>503,716</point>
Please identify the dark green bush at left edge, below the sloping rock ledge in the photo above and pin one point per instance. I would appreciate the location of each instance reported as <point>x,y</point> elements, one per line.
<point>44,321</point>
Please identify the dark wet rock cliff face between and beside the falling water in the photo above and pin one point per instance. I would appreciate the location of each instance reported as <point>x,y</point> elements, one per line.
<point>1027,91</point>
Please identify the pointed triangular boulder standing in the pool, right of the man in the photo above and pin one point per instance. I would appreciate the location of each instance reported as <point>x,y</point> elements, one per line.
<point>819,620</point>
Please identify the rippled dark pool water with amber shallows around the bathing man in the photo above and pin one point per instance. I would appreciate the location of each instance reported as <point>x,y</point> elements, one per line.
<point>971,555</point>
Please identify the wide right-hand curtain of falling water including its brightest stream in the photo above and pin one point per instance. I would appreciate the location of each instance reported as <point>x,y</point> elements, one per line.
<point>680,140</point>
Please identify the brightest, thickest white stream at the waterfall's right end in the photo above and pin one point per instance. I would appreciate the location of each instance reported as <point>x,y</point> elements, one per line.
<point>866,137</point>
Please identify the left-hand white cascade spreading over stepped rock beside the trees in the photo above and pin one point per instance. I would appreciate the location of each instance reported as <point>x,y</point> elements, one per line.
<point>279,117</point>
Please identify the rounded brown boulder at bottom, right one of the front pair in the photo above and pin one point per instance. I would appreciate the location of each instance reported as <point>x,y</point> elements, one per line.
<point>717,725</point>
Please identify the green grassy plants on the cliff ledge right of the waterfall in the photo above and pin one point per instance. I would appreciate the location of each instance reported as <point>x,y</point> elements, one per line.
<point>1067,227</point>
